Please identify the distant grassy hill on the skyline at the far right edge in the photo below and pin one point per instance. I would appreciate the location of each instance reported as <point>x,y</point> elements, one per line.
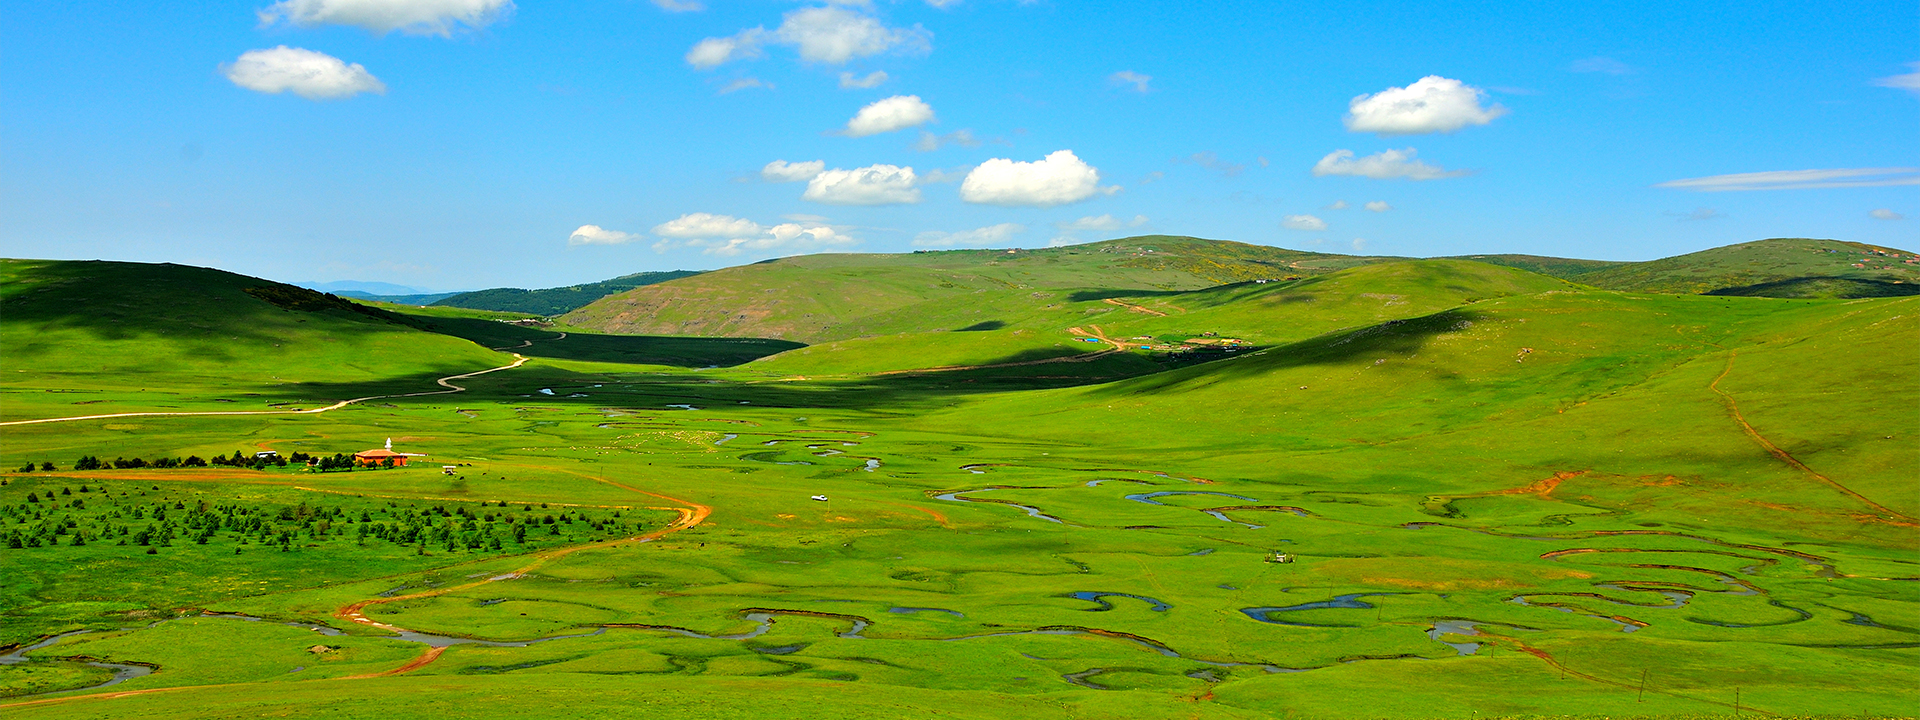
<point>1781,268</point>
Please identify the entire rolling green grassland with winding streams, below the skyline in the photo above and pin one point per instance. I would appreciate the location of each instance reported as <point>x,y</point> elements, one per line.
<point>1362,489</point>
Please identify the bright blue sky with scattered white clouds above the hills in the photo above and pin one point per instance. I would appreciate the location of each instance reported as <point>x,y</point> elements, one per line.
<point>452,145</point>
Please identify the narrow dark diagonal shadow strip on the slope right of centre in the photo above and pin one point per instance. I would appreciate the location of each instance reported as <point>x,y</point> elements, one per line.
<point>1393,339</point>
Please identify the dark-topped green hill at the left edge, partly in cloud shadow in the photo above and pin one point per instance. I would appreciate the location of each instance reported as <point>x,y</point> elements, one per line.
<point>168,337</point>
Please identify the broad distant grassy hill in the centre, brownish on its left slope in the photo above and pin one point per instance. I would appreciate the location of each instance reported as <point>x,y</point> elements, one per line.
<point>825,299</point>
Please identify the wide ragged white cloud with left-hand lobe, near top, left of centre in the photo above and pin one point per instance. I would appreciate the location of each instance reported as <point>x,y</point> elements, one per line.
<point>827,36</point>
